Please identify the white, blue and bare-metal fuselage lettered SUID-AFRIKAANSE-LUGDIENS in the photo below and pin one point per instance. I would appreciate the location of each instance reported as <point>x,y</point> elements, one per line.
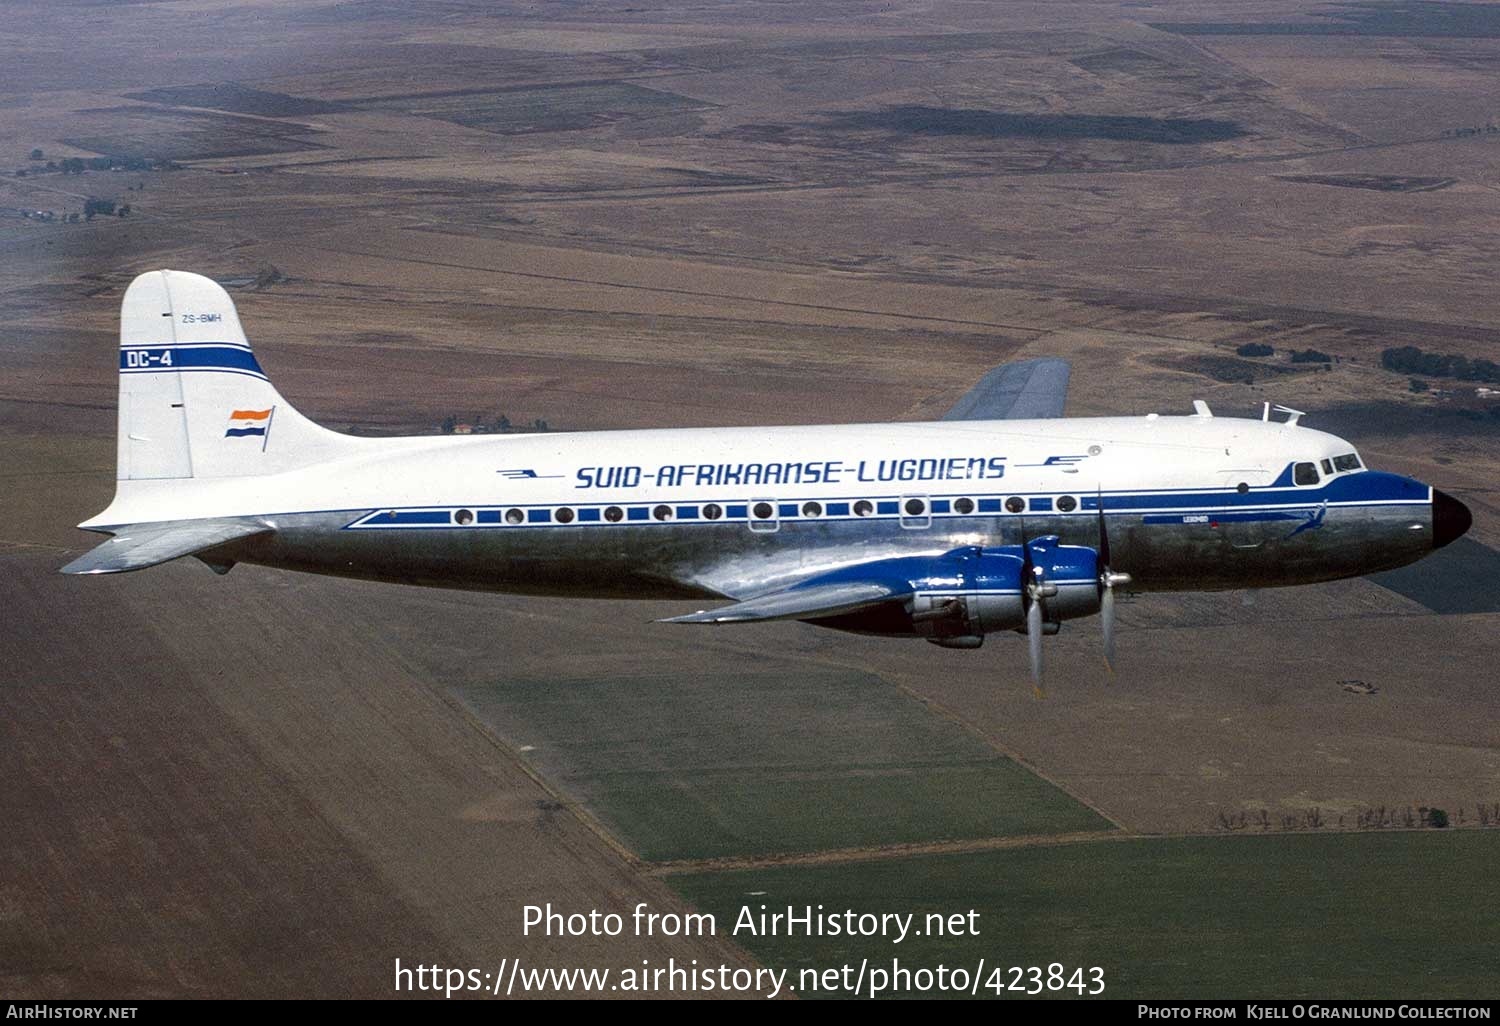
<point>1192,503</point>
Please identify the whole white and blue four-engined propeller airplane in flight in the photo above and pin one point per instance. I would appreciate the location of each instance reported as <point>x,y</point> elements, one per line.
<point>1003,517</point>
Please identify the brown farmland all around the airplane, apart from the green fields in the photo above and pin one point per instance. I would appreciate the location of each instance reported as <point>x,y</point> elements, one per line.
<point>712,214</point>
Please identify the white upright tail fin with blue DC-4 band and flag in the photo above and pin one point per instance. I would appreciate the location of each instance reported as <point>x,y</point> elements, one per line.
<point>194,401</point>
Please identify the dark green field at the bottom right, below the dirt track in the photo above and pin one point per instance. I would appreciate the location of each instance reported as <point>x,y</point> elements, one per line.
<point>1294,916</point>
